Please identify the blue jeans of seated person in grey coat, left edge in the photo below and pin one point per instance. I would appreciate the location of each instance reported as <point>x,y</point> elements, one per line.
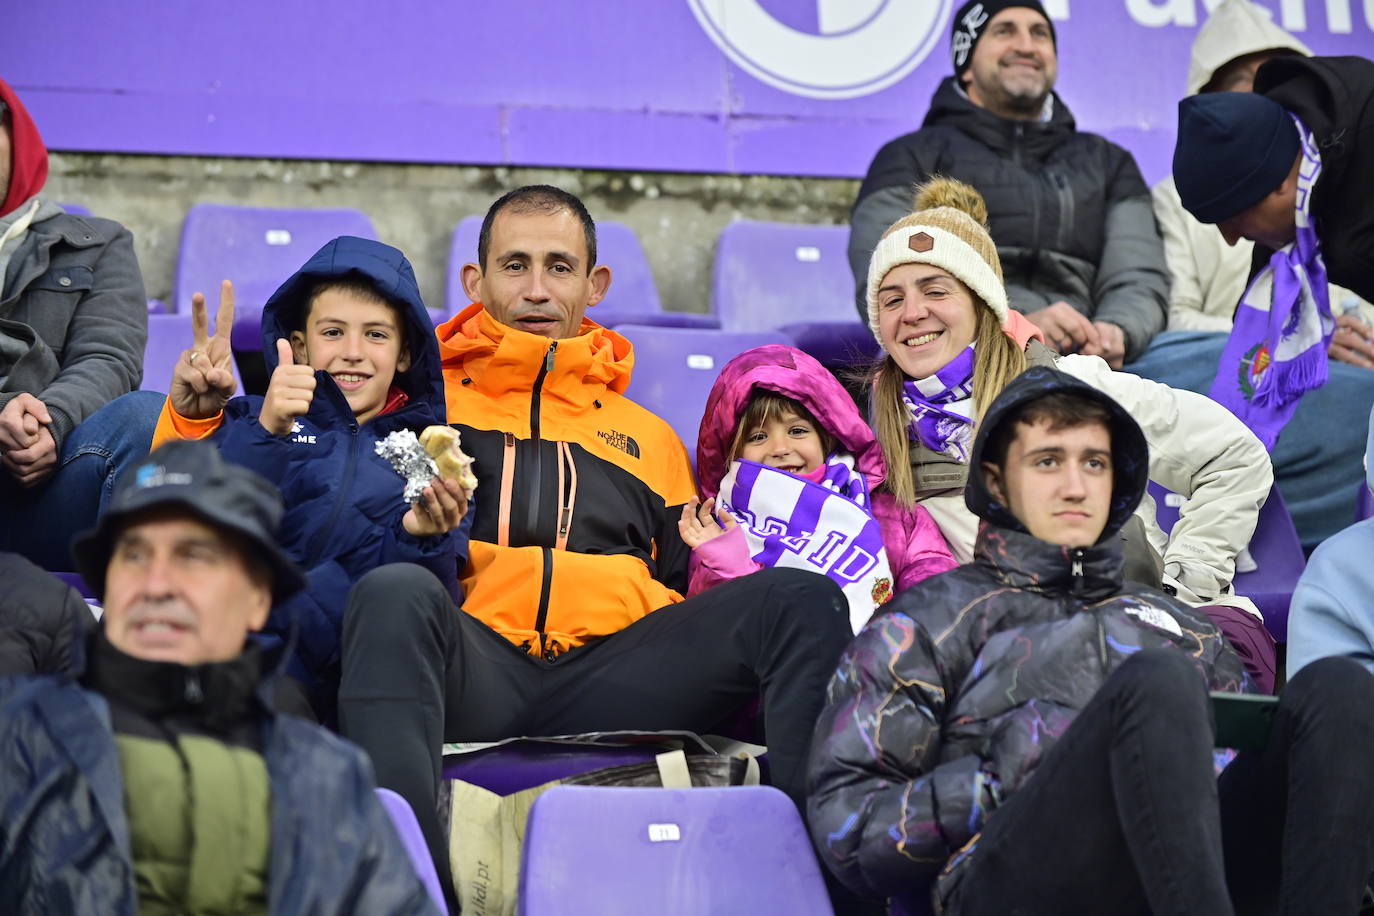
<point>41,523</point>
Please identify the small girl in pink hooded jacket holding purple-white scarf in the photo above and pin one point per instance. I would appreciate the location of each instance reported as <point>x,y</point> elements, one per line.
<point>792,477</point>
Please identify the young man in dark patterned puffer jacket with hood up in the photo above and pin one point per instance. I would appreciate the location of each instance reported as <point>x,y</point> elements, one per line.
<point>1033,734</point>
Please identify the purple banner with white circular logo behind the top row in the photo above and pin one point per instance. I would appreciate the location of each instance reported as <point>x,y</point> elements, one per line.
<point>781,87</point>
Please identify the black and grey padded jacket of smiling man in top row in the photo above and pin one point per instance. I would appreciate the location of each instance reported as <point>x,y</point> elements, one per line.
<point>1068,211</point>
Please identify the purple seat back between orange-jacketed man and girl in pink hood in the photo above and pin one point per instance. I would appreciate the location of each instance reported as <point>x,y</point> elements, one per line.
<point>677,367</point>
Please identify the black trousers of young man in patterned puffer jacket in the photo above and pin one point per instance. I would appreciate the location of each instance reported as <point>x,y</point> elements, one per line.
<point>1125,815</point>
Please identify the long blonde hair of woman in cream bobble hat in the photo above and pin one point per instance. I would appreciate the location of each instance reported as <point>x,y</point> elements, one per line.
<point>997,362</point>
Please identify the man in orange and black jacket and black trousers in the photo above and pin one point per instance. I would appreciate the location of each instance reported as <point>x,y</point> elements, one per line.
<point>574,619</point>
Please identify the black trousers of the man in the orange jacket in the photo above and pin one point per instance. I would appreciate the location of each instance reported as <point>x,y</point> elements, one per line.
<point>418,672</point>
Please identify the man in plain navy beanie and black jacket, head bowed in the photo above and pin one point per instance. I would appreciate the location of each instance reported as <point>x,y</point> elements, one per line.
<point>1237,163</point>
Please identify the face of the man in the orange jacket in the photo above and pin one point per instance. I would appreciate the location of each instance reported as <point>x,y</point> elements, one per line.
<point>537,277</point>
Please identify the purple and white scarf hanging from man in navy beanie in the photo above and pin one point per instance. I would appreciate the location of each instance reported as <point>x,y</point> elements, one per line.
<point>1284,326</point>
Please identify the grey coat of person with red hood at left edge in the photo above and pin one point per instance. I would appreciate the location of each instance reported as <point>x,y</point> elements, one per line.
<point>75,314</point>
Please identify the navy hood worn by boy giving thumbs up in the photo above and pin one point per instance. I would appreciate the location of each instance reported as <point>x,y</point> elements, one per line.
<point>391,273</point>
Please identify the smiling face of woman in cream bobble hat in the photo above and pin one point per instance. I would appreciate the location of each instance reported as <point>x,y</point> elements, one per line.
<point>925,318</point>
